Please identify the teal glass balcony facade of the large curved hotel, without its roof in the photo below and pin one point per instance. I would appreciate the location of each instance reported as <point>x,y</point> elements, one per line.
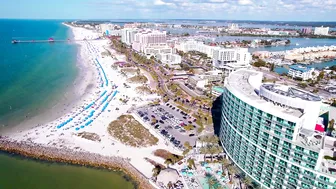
<point>262,145</point>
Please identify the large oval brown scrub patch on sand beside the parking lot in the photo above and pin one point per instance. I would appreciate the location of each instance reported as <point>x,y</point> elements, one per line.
<point>130,132</point>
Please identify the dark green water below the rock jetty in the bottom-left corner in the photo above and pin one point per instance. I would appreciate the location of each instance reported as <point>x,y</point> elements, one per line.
<point>22,173</point>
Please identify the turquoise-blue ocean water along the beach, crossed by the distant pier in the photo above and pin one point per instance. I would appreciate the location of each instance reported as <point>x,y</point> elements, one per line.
<point>33,76</point>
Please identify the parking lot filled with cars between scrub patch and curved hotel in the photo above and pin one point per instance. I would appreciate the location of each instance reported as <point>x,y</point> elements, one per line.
<point>170,122</point>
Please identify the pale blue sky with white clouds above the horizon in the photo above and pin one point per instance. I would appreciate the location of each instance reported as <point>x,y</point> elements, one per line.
<point>270,10</point>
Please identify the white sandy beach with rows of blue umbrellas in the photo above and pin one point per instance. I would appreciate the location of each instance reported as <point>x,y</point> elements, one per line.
<point>95,110</point>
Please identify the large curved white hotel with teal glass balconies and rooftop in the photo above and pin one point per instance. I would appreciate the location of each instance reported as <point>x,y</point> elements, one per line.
<point>269,132</point>
